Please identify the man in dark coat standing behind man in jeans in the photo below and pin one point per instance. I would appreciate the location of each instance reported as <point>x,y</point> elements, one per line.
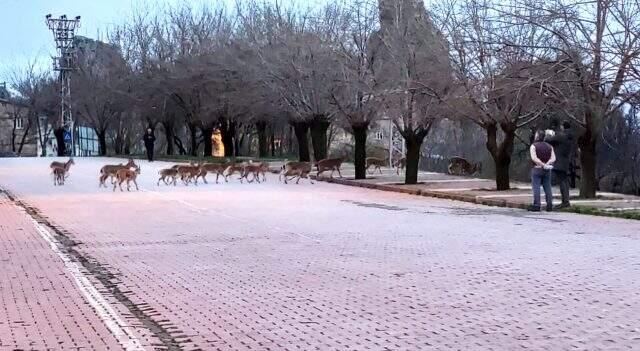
<point>563,143</point>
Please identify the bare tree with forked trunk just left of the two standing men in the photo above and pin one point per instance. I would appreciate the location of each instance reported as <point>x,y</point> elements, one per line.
<point>497,81</point>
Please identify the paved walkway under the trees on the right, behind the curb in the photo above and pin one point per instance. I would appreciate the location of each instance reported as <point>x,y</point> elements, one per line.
<point>477,190</point>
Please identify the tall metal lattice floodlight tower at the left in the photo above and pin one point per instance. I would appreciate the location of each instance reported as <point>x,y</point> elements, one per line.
<point>64,34</point>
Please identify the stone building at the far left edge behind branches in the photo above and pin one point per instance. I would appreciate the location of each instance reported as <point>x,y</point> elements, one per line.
<point>17,135</point>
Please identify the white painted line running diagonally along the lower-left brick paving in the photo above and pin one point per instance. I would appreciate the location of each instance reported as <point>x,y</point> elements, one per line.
<point>104,310</point>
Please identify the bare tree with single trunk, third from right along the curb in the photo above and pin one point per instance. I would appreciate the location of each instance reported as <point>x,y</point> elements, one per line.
<point>413,67</point>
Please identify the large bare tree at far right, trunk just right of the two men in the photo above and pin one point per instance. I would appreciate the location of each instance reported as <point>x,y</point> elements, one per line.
<point>597,44</point>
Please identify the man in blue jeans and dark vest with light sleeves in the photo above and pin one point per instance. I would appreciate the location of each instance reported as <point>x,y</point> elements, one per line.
<point>543,157</point>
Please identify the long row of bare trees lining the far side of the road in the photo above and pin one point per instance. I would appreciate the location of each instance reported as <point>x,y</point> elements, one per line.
<point>260,68</point>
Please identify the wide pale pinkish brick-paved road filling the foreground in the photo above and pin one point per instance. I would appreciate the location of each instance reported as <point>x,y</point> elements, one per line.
<point>310,267</point>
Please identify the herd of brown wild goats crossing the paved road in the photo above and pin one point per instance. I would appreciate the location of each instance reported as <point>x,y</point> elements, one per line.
<point>191,172</point>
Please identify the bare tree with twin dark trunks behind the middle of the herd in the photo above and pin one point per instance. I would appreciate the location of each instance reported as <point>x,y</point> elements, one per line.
<point>297,58</point>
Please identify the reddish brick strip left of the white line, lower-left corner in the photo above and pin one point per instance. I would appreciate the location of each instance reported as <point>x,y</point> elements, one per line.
<point>41,306</point>
